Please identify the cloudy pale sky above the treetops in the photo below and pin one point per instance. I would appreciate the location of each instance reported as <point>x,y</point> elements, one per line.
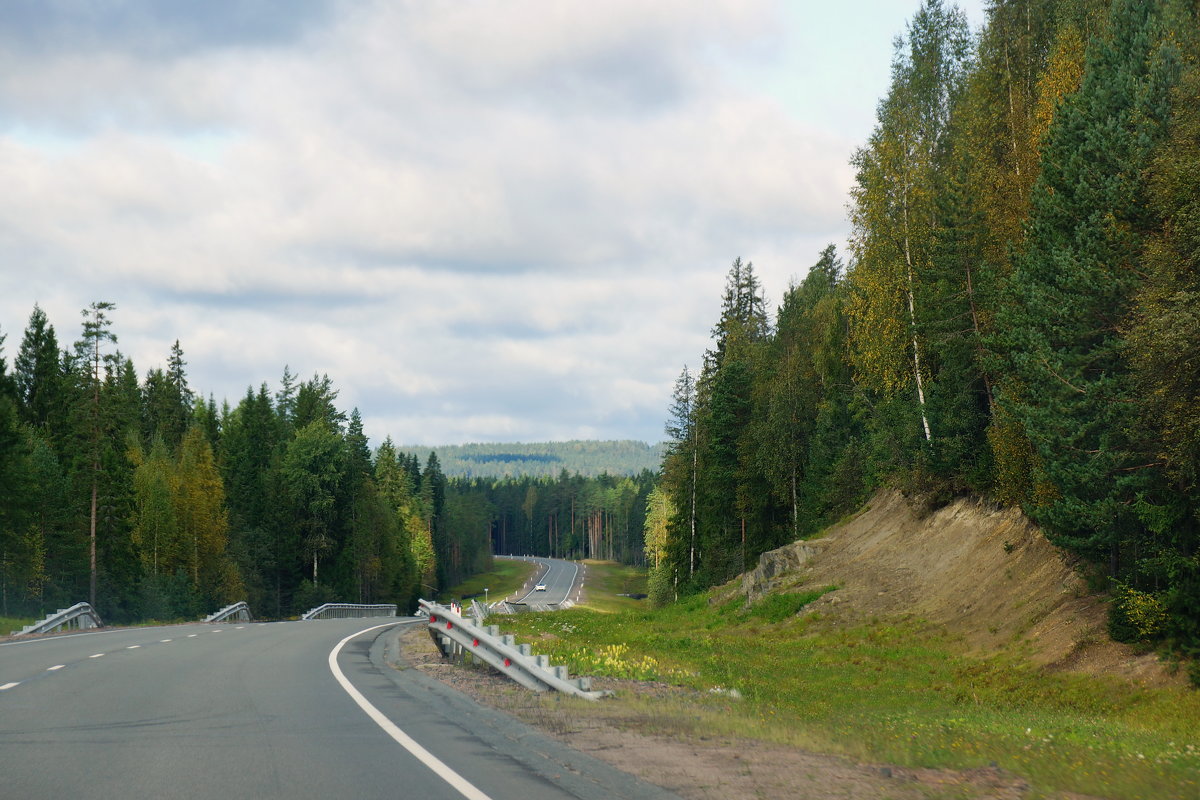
<point>484,221</point>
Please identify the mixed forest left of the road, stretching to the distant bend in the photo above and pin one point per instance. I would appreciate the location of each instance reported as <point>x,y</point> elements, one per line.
<point>151,502</point>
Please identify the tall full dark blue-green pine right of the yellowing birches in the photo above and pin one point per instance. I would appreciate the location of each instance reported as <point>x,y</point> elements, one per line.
<point>1073,285</point>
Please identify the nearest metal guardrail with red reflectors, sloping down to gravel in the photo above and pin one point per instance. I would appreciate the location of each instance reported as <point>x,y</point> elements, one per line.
<point>459,639</point>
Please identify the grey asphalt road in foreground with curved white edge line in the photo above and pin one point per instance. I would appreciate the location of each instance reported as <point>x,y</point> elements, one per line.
<point>257,711</point>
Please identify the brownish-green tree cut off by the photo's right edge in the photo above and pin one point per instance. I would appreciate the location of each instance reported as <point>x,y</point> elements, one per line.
<point>1165,354</point>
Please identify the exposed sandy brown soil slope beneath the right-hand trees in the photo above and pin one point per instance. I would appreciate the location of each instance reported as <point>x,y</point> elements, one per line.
<point>988,575</point>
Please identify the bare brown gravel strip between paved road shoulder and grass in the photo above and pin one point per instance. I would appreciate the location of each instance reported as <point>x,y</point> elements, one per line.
<point>637,733</point>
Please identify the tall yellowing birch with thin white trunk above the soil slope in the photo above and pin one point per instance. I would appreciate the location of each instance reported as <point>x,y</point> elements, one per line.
<point>895,212</point>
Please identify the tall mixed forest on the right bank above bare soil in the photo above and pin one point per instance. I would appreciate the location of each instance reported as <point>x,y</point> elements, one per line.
<point>1017,317</point>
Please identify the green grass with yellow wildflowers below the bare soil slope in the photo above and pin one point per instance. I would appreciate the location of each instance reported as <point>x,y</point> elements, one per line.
<point>902,693</point>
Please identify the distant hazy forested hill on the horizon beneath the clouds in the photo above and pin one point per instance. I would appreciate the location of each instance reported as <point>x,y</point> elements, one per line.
<point>544,459</point>
